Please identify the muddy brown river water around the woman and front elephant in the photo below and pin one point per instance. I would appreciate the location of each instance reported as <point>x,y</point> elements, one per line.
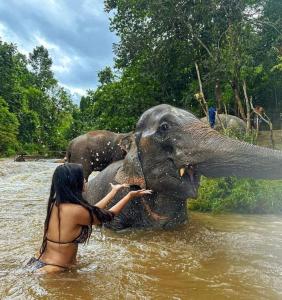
<point>212,257</point>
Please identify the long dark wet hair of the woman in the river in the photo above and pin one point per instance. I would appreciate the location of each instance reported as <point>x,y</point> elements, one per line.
<point>67,187</point>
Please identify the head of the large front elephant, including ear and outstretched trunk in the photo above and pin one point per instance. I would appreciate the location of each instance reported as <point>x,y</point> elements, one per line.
<point>172,149</point>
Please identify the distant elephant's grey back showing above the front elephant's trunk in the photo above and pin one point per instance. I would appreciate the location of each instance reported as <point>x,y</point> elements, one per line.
<point>229,122</point>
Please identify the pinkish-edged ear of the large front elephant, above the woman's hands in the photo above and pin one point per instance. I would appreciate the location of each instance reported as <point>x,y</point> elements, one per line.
<point>131,170</point>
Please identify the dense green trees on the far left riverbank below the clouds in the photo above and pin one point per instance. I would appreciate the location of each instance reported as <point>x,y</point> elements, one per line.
<point>35,112</point>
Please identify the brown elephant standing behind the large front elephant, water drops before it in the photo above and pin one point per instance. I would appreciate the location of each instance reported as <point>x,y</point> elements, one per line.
<point>95,150</point>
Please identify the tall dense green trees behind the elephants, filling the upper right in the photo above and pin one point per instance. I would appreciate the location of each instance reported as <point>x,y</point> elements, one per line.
<point>160,42</point>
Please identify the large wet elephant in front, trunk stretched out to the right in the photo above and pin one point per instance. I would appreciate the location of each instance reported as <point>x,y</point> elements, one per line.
<point>171,150</point>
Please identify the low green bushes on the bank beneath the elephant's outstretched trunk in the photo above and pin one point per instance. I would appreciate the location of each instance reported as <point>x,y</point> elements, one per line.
<point>238,195</point>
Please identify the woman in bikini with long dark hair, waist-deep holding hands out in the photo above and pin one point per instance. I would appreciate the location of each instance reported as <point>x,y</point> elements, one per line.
<point>70,218</point>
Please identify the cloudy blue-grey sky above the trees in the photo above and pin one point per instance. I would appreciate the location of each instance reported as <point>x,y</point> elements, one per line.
<point>75,32</point>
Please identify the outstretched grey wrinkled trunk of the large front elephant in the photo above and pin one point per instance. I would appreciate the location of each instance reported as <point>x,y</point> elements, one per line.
<point>219,156</point>
